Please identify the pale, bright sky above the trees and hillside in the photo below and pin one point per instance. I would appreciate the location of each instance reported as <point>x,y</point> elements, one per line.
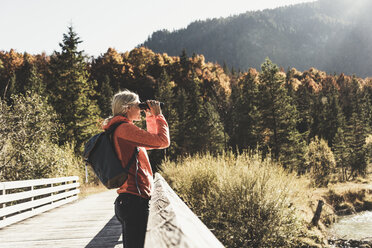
<point>36,26</point>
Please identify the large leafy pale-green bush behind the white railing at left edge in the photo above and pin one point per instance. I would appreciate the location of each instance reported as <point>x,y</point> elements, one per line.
<point>28,141</point>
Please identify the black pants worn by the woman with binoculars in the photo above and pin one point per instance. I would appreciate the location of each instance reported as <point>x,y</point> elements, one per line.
<point>132,211</point>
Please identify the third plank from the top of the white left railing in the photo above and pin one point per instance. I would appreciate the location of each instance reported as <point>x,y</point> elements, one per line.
<point>35,203</point>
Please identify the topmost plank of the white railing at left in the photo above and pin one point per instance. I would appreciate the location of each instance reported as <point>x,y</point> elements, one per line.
<point>36,182</point>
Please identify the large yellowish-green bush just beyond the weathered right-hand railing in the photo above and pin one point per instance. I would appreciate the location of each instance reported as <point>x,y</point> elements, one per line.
<point>246,202</point>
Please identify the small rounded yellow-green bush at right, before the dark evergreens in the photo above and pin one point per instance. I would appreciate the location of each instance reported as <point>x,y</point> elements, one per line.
<point>320,161</point>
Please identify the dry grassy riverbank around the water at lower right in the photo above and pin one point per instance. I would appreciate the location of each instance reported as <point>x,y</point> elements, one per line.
<point>340,199</point>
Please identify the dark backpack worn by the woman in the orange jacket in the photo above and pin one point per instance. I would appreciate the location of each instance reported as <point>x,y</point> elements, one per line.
<point>99,152</point>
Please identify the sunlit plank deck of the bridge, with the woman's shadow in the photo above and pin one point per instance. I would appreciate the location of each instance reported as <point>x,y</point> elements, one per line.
<point>89,223</point>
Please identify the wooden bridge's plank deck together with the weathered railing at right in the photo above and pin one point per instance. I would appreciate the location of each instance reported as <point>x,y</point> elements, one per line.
<point>90,223</point>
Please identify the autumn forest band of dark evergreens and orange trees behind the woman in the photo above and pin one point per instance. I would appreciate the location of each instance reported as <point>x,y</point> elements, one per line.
<point>307,121</point>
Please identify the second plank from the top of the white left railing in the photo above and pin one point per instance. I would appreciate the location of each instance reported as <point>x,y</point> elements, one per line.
<point>37,192</point>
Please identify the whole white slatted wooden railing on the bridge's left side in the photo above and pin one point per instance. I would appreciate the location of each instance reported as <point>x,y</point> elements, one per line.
<point>23,199</point>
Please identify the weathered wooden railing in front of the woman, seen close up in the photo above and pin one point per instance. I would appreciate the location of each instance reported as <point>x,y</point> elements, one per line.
<point>172,224</point>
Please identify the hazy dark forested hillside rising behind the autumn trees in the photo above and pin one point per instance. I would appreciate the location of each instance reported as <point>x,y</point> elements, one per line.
<point>333,36</point>
